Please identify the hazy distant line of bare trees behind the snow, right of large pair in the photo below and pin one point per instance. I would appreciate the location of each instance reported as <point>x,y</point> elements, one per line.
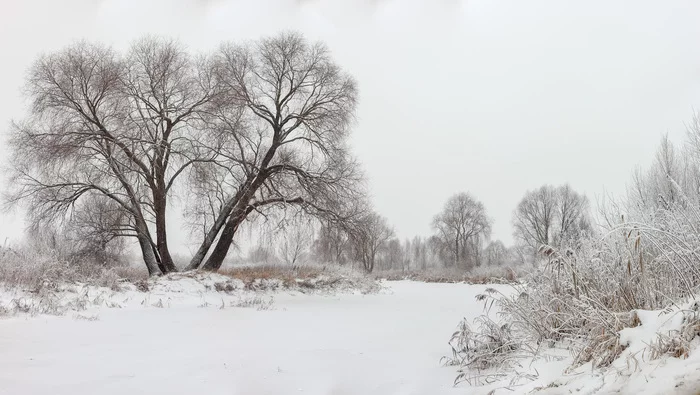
<point>552,216</point>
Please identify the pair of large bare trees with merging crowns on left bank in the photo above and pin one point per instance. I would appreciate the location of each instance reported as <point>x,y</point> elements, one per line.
<point>251,127</point>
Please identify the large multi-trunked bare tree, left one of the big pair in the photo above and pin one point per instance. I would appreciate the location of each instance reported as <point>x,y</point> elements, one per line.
<point>107,126</point>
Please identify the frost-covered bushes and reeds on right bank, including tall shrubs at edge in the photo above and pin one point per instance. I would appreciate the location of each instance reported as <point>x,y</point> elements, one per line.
<point>646,257</point>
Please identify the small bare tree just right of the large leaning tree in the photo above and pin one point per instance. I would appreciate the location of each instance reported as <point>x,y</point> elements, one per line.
<point>370,234</point>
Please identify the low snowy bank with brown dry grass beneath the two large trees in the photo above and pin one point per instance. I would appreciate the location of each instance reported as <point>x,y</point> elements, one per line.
<point>39,284</point>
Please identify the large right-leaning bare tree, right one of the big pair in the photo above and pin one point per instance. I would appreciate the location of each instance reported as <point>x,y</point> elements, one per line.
<point>283,132</point>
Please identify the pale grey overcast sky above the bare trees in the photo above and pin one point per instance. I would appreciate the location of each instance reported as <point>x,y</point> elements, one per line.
<point>490,97</point>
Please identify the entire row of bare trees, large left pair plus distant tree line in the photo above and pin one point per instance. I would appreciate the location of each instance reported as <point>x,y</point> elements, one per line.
<point>253,132</point>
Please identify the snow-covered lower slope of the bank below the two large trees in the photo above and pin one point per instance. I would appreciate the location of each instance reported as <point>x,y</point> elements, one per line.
<point>196,289</point>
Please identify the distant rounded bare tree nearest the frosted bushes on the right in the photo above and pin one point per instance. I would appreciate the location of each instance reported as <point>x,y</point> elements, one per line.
<point>550,216</point>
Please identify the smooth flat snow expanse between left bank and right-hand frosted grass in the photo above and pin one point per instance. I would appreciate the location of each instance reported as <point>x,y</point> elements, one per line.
<point>389,342</point>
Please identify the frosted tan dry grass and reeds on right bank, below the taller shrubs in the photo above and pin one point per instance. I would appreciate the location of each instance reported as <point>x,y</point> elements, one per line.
<point>584,296</point>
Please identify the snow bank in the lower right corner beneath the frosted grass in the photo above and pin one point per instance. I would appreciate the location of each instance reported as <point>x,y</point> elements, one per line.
<point>660,356</point>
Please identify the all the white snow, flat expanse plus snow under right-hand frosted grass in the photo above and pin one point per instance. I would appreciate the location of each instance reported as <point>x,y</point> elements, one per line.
<point>183,337</point>
